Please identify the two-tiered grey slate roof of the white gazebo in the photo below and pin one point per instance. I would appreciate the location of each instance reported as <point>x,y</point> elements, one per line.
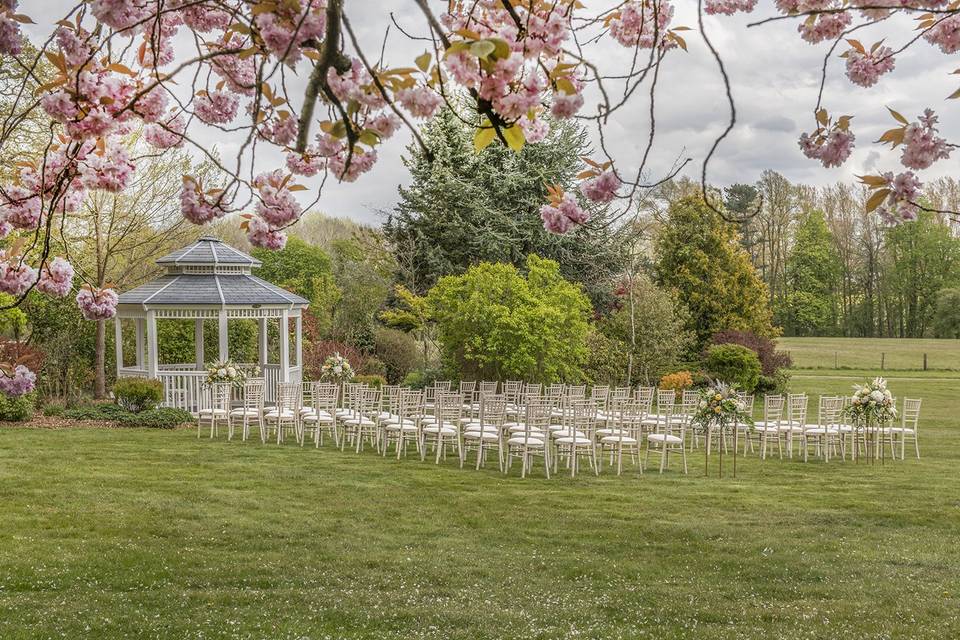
<point>209,273</point>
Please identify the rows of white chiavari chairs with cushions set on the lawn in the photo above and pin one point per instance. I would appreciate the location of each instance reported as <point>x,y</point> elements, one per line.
<point>558,424</point>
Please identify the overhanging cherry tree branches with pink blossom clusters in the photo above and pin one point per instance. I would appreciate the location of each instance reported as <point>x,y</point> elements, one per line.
<point>178,67</point>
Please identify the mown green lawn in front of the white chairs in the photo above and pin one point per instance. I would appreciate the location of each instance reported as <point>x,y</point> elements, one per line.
<point>153,534</point>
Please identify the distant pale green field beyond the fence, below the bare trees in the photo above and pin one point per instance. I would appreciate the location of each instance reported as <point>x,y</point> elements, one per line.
<point>866,353</point>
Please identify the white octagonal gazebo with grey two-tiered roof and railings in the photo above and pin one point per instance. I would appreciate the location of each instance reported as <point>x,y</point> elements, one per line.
<point>209,281</point>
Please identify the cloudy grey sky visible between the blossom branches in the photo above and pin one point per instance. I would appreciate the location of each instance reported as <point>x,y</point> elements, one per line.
<point>775,77</point>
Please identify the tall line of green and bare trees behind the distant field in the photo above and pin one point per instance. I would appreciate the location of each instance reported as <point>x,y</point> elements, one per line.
<point>831,269</point>
